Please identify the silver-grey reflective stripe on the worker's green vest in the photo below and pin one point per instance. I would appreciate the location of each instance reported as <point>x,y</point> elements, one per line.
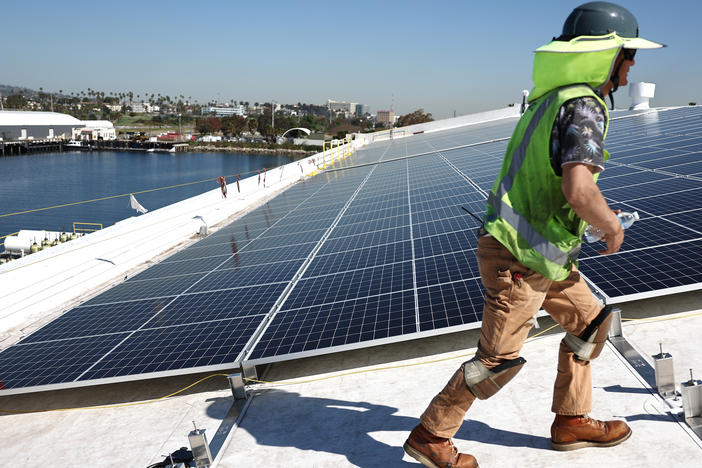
<point>514,219</point>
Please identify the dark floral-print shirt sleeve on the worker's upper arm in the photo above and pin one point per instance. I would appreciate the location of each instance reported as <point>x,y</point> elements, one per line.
<point>577,135</point>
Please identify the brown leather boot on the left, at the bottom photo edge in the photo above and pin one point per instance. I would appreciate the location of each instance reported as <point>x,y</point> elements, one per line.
<point>436,452</point>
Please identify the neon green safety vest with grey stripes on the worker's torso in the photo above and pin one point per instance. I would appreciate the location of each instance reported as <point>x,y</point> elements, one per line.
<point>526,209</point>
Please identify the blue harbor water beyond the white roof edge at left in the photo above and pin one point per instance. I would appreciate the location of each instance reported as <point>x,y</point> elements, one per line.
<point>34,181</point>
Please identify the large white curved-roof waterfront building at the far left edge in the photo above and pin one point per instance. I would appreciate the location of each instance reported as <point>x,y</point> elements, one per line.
<point>30,125</point>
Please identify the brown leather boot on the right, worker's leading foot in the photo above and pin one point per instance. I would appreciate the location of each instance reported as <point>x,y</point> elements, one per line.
<point>574,432</point>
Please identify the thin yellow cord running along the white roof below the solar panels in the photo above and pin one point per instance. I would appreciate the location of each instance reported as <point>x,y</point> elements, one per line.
<point>328,377</point>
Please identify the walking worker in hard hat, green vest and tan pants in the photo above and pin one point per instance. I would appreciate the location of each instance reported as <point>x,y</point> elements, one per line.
<point>537,210</point>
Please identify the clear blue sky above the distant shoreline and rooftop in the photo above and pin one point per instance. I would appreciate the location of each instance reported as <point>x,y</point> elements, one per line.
<point>442,56</point>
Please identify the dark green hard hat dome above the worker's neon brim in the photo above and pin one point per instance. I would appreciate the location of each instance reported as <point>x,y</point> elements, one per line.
<point>600,18</point>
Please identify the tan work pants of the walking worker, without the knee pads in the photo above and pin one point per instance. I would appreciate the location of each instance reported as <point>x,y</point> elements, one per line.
<point>514,294</point>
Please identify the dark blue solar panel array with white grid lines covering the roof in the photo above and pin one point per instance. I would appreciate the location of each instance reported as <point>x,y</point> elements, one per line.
<point>363,256</point>
